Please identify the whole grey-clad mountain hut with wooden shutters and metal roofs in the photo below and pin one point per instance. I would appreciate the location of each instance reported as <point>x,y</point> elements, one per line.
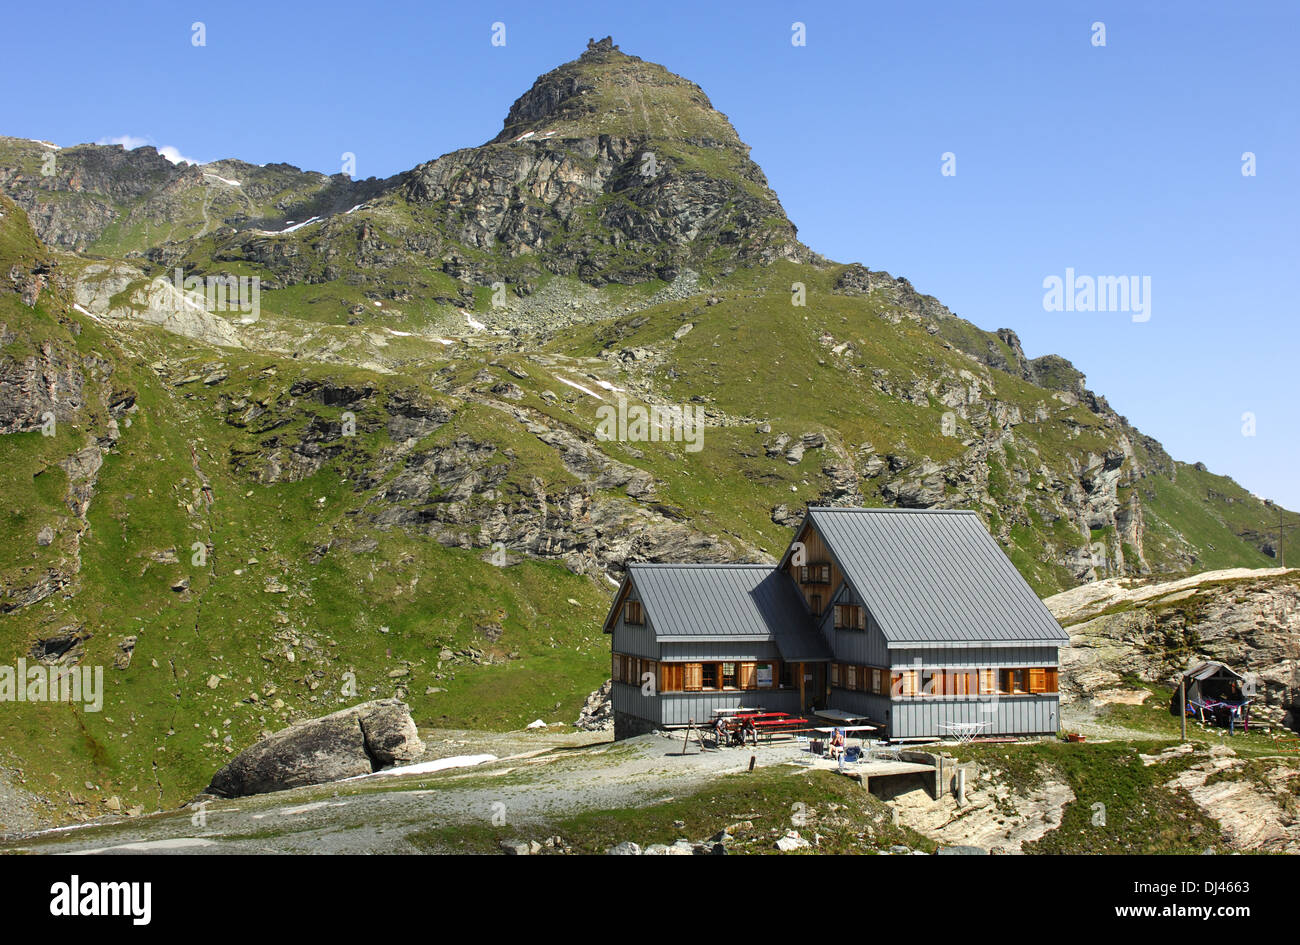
<point>915,619</point>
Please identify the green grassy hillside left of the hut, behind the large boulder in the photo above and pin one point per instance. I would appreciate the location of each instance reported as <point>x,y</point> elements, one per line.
<point>163,731</point>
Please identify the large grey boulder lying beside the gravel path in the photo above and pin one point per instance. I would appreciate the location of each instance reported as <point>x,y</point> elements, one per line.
<point>354,742</point>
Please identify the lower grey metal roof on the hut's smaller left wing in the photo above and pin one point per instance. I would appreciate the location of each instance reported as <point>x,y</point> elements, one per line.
<point>736,602</point>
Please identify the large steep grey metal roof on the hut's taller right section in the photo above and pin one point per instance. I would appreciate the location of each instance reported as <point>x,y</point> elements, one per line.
<point>935,578</point>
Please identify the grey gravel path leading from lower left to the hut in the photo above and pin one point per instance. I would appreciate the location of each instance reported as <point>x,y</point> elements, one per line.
<point>538,775</point>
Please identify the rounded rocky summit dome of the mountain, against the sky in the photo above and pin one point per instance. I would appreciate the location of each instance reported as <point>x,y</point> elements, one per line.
<point>604,193</point>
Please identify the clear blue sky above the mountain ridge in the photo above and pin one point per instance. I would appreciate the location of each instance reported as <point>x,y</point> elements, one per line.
<point>1117,161</point>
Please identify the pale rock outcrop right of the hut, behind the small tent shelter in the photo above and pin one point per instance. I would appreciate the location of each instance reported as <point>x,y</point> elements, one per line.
<point>1246,619</point>
